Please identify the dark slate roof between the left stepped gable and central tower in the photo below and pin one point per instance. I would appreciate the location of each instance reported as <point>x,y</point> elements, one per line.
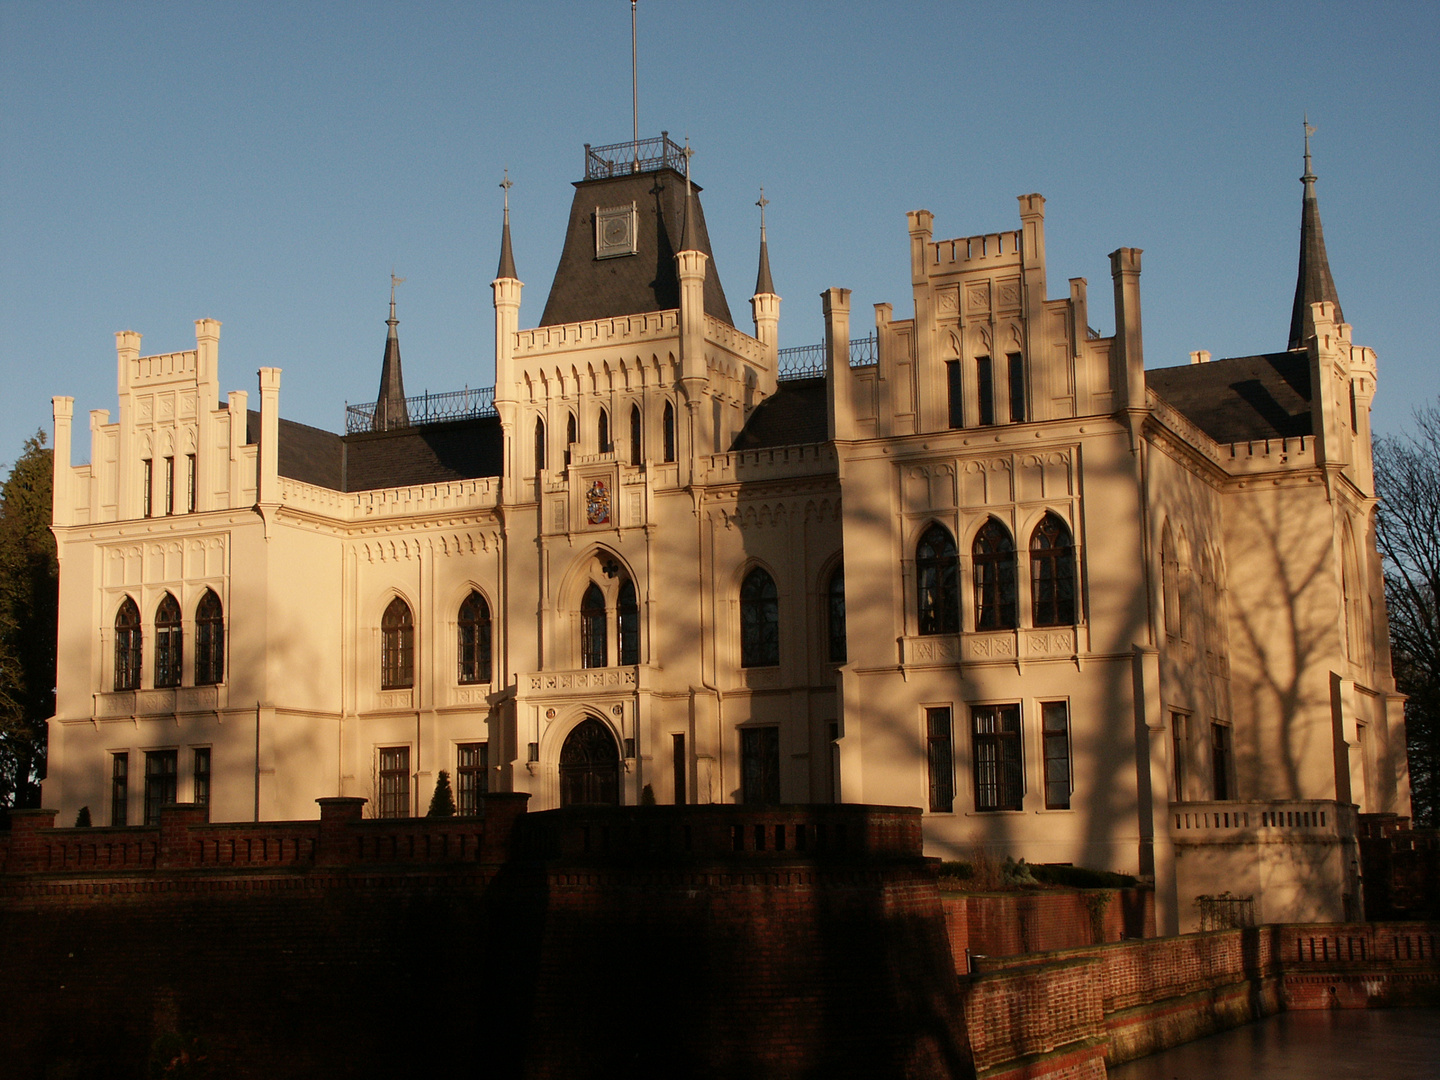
<point>430,454</point>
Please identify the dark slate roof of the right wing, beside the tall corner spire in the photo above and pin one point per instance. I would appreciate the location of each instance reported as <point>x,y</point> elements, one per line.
<point>1242,400</point>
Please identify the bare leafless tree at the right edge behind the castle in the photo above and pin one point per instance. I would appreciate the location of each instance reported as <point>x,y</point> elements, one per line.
<point>1408,480</point>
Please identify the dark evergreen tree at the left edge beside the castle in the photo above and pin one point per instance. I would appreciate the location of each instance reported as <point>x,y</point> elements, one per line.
<point>30,598</point>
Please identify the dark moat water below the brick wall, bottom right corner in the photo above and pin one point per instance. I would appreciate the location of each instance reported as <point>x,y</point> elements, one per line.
<point>1366,1045</point>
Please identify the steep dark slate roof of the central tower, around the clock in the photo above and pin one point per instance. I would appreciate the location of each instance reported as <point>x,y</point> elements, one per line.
<point>588,289</point>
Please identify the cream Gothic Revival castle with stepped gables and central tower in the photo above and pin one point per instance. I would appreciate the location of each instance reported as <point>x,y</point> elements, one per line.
<point>977,561</point>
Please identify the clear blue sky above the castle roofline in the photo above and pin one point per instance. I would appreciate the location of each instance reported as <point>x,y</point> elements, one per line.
<point>267,165</point>
